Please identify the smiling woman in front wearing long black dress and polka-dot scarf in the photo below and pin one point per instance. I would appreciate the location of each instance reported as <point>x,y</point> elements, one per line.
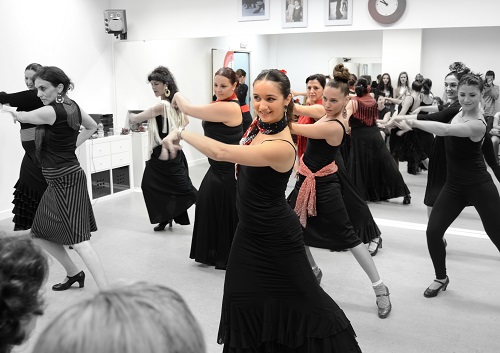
<point>272,301</point>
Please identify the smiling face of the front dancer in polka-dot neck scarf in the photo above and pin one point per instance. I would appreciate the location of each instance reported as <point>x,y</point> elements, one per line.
<point>268,101</point>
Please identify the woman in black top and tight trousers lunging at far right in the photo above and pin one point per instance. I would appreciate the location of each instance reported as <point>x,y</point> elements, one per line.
<point>467,180</point>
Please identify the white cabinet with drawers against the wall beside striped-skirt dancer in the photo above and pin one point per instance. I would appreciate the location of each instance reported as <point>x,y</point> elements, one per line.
<point>107,162</point>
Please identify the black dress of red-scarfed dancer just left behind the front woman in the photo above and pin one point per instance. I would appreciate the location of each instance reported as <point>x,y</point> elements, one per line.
<point>215,214</point>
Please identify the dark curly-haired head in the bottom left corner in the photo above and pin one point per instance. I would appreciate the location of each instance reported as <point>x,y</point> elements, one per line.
<point>23,272</point>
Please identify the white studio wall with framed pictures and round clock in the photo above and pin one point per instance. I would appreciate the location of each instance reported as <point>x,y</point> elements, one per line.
<point>180,34</point>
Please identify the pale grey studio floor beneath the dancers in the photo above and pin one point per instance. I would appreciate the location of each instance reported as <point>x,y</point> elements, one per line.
<point>465,318</point>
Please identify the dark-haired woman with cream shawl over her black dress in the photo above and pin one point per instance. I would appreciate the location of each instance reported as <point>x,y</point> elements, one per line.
<point>166,186</point>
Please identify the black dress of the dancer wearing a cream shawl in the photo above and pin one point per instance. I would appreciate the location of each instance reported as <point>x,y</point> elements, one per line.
<point>166,186</point>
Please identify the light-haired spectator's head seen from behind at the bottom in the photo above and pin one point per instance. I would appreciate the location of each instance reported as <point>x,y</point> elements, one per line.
<point>139,317</point>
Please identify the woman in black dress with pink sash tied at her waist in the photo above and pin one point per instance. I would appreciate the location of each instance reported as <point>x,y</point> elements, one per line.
<point>318,197</point>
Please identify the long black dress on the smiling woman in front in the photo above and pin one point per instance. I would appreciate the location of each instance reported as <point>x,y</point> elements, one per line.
<point>272,301</point>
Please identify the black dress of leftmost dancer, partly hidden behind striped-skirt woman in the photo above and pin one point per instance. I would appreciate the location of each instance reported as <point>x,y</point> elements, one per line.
<point>31,184</point>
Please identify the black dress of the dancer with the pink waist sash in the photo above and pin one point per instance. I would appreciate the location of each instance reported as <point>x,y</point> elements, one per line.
<point>343,217</point>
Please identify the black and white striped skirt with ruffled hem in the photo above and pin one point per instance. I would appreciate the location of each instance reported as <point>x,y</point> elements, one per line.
<point>64,215</point>
